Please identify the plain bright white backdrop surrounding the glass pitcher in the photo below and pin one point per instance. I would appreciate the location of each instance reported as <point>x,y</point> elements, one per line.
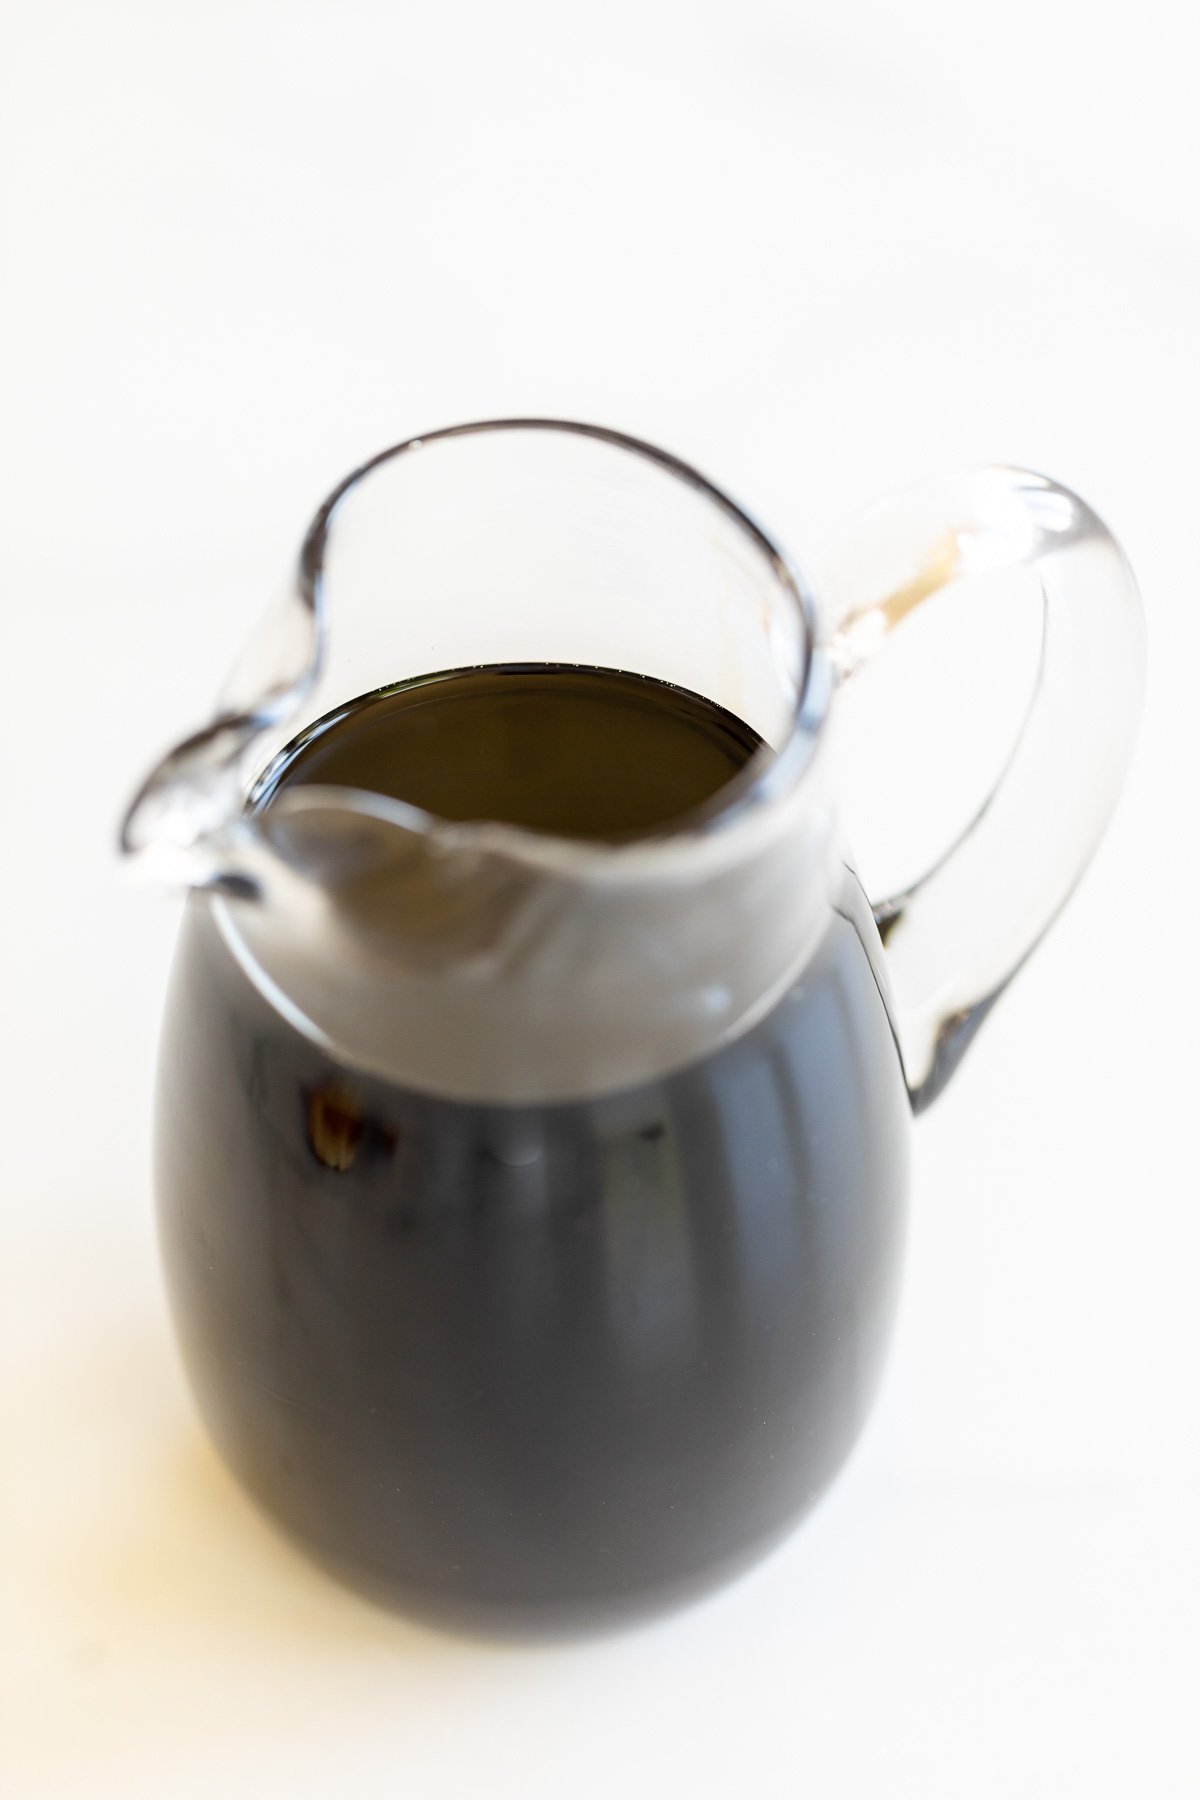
<point>819,251</point>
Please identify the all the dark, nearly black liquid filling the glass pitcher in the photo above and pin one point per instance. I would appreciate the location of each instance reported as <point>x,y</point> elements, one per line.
<point>550,1365</point>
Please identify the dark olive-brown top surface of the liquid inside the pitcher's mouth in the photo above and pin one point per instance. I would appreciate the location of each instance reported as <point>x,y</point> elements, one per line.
<point>573,751</point>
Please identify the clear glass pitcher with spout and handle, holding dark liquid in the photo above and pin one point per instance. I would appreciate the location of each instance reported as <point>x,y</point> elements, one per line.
<point>533,1207</point>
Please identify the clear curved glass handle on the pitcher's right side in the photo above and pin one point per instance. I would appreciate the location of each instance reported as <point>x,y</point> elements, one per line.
<point>958,937</point>
